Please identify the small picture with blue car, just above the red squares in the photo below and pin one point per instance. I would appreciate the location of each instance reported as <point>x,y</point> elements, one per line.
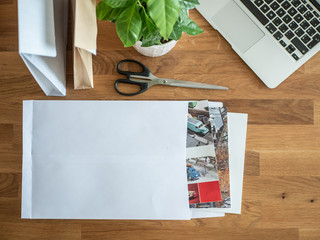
<point>202,169</point>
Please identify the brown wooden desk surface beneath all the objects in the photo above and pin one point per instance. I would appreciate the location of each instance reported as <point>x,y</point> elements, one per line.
<point>281,195</point>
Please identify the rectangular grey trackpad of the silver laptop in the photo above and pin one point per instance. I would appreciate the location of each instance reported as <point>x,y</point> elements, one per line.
<point>241,31</point>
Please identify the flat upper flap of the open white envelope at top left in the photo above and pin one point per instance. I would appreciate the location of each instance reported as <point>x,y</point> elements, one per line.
<point>36,27</point>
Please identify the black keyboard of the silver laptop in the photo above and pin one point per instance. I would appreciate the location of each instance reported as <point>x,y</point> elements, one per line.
<point>295,24</point>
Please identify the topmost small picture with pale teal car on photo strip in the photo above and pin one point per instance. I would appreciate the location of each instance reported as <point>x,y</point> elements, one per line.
<point>199,125</point>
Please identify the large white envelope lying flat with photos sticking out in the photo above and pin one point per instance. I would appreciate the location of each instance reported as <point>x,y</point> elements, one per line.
<point>104,160</point>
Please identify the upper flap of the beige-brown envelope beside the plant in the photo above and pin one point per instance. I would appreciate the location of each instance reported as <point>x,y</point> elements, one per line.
<point>85,25</point>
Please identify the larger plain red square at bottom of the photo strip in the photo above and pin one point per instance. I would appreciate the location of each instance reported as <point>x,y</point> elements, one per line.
<point>209,192</point>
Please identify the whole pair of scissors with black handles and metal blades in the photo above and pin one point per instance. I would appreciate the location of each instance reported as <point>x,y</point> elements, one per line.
<point>146,79</point>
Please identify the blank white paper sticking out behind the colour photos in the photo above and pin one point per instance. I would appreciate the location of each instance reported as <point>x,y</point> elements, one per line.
<point>237,130</point>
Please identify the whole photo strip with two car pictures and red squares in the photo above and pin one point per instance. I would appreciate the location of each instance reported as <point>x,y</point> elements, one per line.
<point>201,164</point>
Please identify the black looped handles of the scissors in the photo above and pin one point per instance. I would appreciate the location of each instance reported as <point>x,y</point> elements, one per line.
<point>143,86</point>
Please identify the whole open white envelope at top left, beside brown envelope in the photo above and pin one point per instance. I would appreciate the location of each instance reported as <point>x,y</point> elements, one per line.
<point>42,42</point>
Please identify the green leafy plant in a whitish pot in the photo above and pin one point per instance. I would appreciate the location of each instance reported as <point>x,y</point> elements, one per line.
<point>151,26</point>
